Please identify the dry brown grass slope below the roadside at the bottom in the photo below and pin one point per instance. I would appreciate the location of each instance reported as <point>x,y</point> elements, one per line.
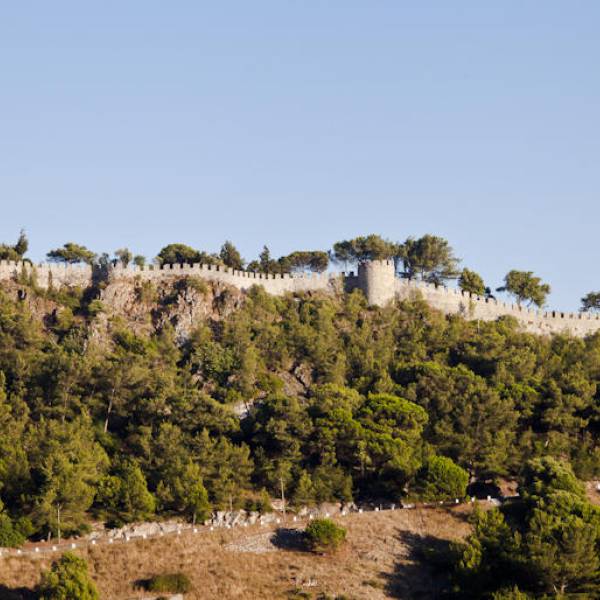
<point>378,561</point>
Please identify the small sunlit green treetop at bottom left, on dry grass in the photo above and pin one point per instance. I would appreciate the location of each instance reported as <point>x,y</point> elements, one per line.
<point>68,579</point>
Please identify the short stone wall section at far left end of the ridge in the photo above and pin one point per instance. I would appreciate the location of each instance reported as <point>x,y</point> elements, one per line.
<point>46,274</point>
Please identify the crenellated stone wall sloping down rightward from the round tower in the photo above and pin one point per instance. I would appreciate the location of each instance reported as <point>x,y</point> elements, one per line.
<point>452,301</point>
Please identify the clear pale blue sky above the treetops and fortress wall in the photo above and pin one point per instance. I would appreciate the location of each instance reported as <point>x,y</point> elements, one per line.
<point>299,123</point>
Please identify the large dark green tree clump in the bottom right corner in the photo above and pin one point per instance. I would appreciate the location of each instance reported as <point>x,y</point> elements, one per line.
<point>548,545</point>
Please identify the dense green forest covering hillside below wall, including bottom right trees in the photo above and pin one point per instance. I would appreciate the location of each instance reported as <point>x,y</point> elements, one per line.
<point>313,397</point>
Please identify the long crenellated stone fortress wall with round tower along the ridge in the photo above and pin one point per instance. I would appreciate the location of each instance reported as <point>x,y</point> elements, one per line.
<point>377,280</point>
